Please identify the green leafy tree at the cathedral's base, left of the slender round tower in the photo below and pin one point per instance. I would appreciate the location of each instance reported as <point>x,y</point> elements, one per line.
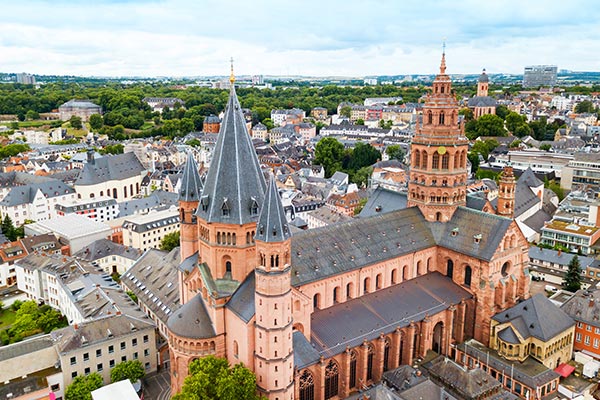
<point>212,378</point>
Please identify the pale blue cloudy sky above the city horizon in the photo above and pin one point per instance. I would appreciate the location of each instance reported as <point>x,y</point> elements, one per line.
<point>304,37</point>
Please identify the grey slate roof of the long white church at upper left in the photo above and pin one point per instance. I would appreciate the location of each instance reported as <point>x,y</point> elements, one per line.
<point>107,168</point>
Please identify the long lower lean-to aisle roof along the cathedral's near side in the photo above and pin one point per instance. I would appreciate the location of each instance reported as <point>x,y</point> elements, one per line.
<point>336,327</point>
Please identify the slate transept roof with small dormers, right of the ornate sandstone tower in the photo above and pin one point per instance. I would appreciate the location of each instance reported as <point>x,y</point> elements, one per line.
<point>459,234</point>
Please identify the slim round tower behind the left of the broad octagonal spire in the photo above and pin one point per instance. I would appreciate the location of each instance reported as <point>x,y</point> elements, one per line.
<point>189,196</point>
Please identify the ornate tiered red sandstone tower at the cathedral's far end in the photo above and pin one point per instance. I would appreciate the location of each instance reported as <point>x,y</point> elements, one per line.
<point>438,172</point>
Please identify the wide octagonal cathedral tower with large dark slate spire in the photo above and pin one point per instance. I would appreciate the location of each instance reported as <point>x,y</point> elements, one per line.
<point>230,203</point>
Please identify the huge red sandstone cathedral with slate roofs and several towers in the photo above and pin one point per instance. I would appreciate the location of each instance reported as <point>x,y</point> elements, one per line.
<point>320,314</point>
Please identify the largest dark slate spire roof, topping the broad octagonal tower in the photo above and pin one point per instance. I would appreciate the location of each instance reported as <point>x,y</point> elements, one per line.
<point>234,188</point>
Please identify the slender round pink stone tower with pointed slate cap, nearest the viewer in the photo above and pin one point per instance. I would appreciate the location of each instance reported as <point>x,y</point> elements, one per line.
<point>273,357</point>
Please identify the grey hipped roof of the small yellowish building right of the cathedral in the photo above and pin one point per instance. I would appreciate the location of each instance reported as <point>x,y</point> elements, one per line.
<point>537,317</point>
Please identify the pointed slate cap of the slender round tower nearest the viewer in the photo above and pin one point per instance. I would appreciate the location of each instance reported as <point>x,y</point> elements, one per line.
<point>272,225</point>
